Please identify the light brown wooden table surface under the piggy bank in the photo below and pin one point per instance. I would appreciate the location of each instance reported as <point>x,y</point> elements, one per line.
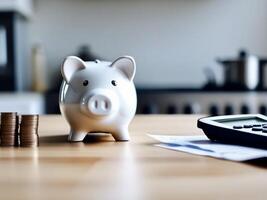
<point>103,169</point>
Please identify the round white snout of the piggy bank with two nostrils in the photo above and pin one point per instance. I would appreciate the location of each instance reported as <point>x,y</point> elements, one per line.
<point>100,103</point>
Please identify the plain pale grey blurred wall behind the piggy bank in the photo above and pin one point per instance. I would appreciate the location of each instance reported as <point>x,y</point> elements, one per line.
<point>172,41</point>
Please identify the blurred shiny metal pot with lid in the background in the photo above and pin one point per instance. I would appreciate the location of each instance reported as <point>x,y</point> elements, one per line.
<point>244,72</point>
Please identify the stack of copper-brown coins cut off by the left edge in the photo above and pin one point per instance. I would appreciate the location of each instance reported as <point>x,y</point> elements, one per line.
<point>9,129</point>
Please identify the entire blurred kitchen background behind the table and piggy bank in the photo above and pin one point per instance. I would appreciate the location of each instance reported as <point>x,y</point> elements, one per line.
<point>193,56</point>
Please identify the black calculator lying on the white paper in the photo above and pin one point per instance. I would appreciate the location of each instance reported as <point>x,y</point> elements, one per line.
<point>249,129</point>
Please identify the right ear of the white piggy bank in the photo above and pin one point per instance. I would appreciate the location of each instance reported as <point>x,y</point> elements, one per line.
<point>126,64</point>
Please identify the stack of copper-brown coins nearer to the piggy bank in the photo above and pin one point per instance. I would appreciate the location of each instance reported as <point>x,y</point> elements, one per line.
<point>29,131</point>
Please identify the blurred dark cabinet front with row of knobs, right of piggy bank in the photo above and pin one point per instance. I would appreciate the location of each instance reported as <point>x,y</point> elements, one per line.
<point>161,101</point>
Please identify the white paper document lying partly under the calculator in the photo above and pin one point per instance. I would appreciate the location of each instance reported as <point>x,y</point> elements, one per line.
<point>201,145</point>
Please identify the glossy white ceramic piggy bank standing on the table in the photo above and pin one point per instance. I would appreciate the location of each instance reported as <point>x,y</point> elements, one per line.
<point>98,96</point>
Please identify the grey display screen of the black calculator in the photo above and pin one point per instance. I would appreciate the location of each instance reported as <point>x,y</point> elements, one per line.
<point>242,121</point>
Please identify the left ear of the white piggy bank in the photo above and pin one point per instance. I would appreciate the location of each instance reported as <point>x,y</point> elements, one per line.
<point>70,65</point>
